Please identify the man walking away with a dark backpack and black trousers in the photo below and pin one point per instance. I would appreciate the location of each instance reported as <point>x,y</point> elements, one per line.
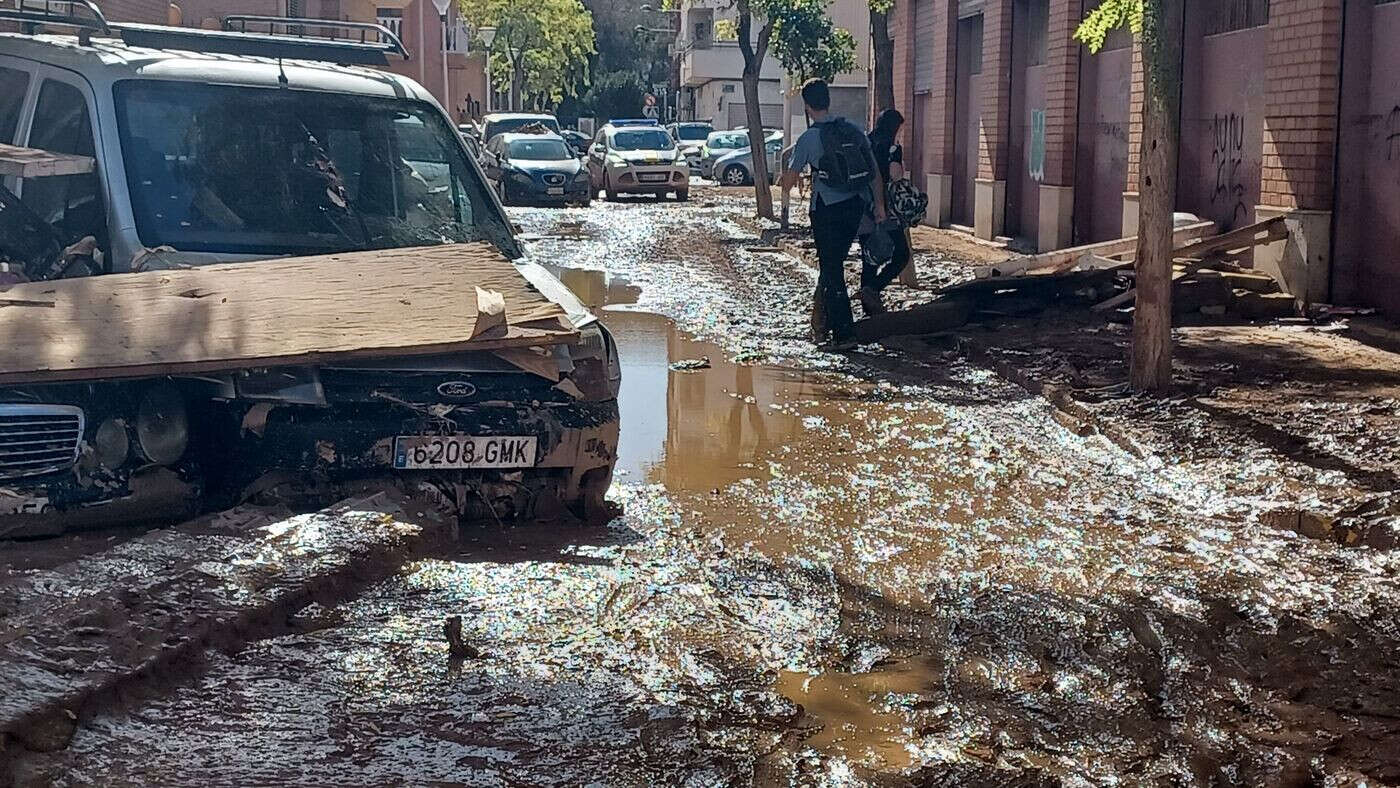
<point>846,185</point>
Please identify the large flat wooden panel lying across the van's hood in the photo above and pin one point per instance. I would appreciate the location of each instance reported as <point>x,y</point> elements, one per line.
<point>271,313</point>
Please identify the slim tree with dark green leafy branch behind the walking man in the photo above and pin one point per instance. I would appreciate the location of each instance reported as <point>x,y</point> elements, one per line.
<point>806,43</point>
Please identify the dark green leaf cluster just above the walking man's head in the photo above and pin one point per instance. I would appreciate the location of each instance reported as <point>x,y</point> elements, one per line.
<point>806,43</point>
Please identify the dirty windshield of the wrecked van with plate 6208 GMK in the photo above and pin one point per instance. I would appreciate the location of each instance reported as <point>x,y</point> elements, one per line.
<point>243,170</point>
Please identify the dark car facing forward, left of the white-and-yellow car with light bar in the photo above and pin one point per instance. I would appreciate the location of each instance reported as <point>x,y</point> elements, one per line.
<point>535,169</point>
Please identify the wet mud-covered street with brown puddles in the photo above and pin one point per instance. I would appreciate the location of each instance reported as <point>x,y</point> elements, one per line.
<point>831,572</point>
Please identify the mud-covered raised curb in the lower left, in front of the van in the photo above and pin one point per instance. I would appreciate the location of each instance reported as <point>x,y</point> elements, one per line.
<point>155,605</point>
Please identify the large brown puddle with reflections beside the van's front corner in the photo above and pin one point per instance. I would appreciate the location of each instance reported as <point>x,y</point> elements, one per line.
<point>691,430</point>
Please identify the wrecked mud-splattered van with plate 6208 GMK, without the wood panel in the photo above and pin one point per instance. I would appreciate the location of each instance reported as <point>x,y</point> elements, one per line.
<point>251,156</point>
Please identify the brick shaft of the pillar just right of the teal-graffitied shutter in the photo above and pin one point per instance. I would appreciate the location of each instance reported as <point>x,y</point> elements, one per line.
<point>1062,93</point>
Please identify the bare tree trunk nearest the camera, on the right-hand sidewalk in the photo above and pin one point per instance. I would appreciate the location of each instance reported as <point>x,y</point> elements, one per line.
<point>1151,365</point>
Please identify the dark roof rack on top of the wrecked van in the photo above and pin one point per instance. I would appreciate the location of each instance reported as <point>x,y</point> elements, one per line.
<point>360,44</point>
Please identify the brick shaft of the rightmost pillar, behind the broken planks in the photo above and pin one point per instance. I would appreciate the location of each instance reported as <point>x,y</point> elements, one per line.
<point>1303,104</point>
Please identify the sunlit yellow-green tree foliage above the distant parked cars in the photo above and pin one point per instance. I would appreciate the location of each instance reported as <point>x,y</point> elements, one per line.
<point>541,47</point>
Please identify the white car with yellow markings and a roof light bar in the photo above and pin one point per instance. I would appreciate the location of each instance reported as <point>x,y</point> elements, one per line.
<point>638,159</point>
